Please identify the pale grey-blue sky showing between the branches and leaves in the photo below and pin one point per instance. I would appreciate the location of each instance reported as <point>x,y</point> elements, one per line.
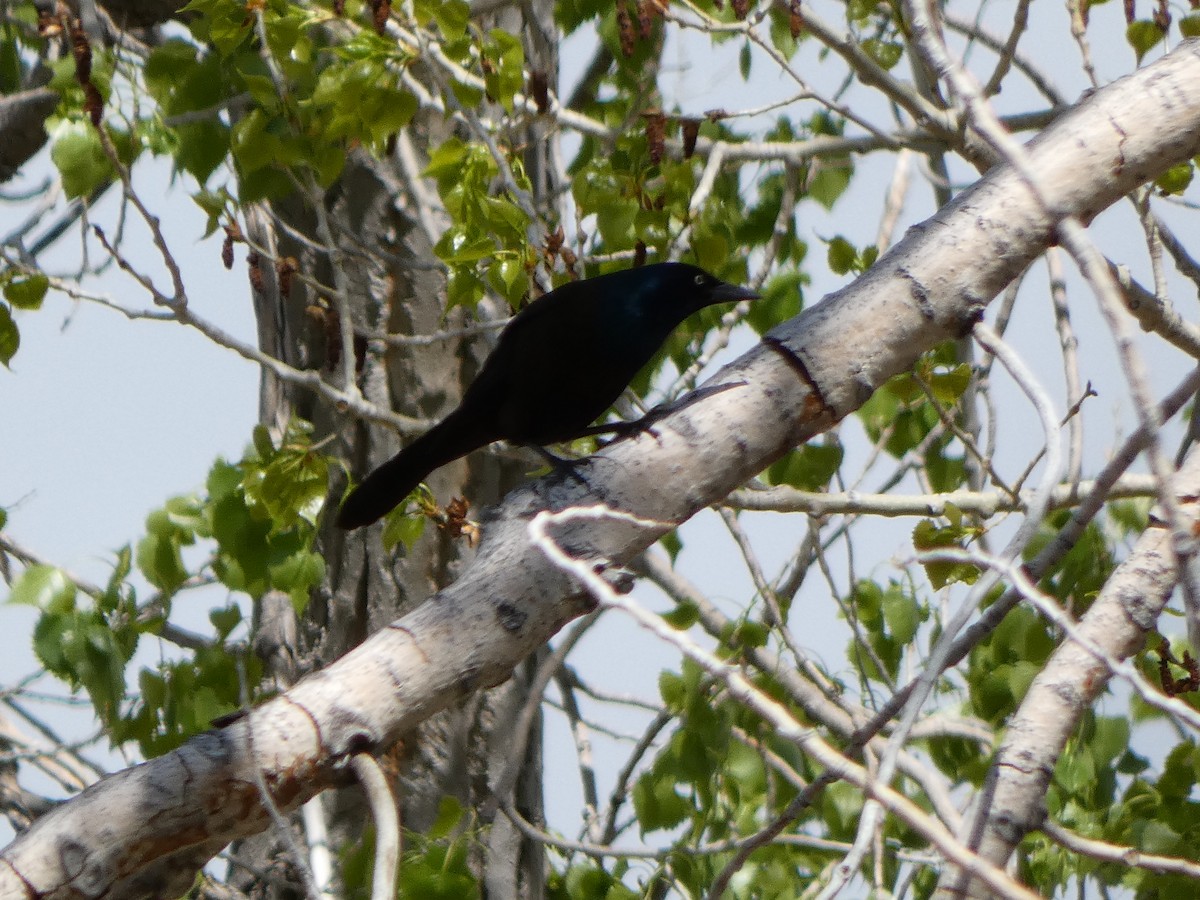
<point>103,419</point>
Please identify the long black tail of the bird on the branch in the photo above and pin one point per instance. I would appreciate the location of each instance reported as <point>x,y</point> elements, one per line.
<point>392,483</point>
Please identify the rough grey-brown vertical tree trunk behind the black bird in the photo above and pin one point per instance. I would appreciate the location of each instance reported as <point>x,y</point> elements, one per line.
<point>385,220</point>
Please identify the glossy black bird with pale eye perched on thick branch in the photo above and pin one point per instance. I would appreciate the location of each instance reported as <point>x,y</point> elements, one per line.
<point>559,365</point>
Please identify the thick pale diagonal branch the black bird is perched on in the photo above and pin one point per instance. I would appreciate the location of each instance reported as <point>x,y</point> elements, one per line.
<point>934,285</point>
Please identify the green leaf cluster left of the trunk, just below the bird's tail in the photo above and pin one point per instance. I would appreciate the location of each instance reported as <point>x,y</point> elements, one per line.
<point>259,518</point>
